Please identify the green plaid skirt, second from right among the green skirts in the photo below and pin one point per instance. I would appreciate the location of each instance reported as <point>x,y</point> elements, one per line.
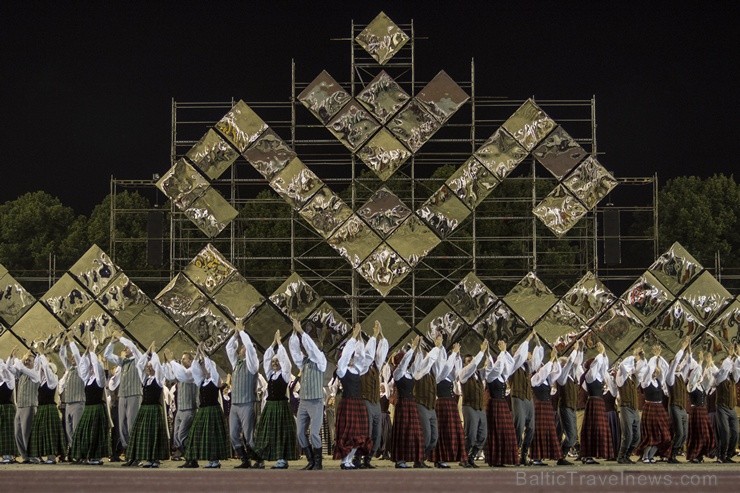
<point>208,439</point>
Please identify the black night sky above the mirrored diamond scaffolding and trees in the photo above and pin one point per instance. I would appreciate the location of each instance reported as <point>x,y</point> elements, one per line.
<point>86,87</point>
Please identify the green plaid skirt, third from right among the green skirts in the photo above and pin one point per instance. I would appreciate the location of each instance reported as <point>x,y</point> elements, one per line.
<point>148,438</point>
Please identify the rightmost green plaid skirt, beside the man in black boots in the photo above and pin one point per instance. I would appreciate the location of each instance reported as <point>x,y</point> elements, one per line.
<point>275,437</point>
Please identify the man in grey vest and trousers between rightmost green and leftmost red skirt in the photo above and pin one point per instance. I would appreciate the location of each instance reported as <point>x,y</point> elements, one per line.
<point>312,366</point>
